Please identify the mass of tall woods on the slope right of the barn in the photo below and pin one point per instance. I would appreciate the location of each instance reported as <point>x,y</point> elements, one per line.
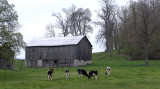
<point>133,29</point>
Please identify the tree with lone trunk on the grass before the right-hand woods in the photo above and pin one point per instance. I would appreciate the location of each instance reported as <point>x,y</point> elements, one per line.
<point>149,17</point>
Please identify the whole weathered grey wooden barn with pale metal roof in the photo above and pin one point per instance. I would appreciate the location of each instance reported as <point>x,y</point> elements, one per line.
<point>58,52</point>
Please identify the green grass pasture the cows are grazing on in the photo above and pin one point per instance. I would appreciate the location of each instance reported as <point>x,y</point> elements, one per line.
<point>125,74</point>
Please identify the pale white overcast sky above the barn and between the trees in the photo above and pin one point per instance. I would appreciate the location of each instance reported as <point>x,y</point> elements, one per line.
<point>34,15</point>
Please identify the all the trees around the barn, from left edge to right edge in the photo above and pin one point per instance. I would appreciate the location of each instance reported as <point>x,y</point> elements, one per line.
<point>133,29</point>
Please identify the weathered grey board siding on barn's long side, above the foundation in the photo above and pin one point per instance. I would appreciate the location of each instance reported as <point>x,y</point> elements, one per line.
<point>47,53</point>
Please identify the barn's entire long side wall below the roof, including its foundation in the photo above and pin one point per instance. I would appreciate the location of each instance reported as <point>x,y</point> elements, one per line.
<point>51,56</point>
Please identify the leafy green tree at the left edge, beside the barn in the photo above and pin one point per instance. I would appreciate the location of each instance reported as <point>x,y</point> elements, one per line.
<point>9,26</point>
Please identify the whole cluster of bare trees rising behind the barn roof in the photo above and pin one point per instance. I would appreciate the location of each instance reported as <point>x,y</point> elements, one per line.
<point>73,21</point>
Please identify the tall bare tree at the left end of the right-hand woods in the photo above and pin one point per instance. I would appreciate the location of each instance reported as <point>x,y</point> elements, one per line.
<point>107,22</point>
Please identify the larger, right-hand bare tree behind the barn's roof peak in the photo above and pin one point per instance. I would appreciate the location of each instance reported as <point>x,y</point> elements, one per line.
<point>80,21</point>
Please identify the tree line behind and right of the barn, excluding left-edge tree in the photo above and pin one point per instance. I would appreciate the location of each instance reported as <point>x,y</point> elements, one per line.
<point>133,29</point>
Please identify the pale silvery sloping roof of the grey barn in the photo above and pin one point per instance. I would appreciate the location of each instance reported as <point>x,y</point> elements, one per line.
<point>55,41</point>
